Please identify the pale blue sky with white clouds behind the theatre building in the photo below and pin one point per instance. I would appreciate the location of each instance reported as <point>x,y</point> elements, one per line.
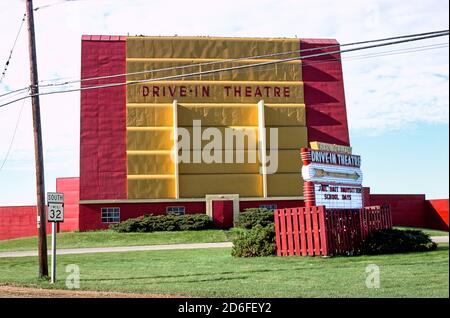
<point>397,104</point>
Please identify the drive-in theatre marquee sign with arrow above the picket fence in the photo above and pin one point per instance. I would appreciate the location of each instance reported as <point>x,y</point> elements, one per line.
<point>331,178</point>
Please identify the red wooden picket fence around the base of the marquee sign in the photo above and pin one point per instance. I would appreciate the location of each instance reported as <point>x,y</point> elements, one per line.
<point>317,231</point>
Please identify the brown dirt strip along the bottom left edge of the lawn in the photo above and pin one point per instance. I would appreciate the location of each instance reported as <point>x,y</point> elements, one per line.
<point>8,291</point>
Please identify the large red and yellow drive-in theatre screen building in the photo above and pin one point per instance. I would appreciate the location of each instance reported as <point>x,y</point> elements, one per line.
<point>131,161</point>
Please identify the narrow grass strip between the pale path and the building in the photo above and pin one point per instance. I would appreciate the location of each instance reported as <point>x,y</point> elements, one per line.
<point>110,238</point>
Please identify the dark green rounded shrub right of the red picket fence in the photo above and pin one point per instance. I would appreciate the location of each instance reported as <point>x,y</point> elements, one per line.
<point>396,241</point>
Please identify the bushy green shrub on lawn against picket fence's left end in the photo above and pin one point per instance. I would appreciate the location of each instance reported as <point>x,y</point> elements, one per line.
<point>258,241</point>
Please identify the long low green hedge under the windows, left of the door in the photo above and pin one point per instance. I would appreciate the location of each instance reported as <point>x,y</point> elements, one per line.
<point>151,223</point>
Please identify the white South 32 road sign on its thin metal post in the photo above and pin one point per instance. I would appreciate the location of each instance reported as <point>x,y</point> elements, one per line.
<point>55,214</point>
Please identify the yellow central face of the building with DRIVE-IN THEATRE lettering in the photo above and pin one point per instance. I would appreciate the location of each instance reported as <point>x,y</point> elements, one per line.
<point>220,100</point>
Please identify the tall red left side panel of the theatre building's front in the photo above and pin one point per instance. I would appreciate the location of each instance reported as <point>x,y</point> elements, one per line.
<point>103,171</point>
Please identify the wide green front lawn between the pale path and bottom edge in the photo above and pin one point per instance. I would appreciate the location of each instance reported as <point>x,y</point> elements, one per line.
<point>214,273</point>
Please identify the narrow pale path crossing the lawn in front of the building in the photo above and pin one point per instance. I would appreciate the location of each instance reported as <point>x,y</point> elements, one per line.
<point>437,239</point>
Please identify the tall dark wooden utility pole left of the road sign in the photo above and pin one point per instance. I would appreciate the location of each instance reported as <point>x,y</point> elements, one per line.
<point>39,159</point>
